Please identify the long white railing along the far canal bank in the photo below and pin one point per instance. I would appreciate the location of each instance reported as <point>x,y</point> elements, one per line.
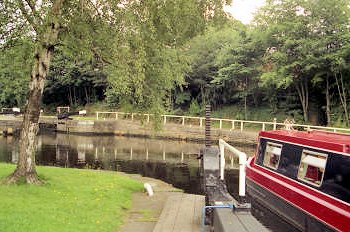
<point>231,124</point>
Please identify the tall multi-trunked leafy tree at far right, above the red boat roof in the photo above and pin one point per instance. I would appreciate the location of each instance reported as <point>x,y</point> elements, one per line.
<point>306,44</point>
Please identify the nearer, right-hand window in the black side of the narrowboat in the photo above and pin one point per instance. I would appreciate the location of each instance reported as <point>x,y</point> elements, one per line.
<point>312,166</point>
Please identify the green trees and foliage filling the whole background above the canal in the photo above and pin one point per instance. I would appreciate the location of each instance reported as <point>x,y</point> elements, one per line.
<point>294,57</point>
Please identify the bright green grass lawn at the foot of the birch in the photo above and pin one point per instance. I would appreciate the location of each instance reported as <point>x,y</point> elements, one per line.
<point>71,200</point>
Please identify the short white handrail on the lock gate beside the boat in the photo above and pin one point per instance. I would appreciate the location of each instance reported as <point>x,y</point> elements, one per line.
<point>242,163</point>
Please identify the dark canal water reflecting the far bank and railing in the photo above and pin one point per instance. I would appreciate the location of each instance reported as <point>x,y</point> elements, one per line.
<point>174,162</point>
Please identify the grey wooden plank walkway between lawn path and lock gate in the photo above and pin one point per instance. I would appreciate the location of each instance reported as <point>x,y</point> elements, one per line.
<point>182,212</point>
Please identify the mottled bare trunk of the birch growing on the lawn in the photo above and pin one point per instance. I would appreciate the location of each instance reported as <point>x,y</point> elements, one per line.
<point>28,139</point>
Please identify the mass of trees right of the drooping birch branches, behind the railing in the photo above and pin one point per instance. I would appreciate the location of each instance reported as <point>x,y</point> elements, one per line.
<point>294,57</point>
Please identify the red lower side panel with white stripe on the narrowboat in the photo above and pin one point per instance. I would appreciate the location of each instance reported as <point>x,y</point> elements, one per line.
<point>326,210</point>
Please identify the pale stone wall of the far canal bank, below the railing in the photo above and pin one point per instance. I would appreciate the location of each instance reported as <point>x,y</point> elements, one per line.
<point>122,127</point>
